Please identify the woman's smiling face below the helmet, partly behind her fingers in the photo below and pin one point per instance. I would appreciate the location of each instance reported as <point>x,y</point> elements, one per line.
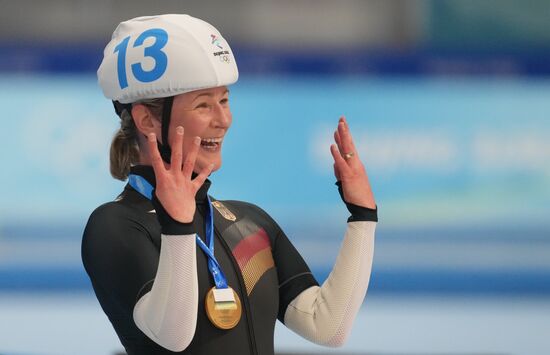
<point>206,114</point>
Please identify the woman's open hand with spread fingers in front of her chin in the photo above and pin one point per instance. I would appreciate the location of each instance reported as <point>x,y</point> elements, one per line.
<point>175,189</point>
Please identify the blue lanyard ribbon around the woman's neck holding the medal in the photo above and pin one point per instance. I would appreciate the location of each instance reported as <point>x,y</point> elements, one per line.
<point>146,189</point>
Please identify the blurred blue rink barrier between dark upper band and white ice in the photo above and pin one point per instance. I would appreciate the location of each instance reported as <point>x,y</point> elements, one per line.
<point>460,169</point>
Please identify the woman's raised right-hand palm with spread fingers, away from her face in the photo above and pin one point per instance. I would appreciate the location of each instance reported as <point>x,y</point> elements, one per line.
<point>349,170</point>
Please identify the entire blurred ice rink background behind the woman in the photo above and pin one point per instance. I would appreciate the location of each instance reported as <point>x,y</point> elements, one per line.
<point>449,103</point>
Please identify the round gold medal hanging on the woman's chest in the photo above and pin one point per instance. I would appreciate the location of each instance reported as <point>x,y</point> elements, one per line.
<point>225,312</point>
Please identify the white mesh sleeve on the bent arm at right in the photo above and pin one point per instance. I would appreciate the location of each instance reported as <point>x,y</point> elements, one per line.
<point>325,315</point>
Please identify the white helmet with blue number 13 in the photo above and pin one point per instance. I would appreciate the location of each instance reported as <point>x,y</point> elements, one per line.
<point>160,56</point>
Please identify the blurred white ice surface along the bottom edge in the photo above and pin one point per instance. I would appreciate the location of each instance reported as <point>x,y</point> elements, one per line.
<point>44,324</point>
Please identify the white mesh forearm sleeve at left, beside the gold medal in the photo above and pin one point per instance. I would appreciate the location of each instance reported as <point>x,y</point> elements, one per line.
<point>168,313</point>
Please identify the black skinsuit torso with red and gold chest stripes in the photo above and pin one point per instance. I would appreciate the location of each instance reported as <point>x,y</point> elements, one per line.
<point>120,251</point>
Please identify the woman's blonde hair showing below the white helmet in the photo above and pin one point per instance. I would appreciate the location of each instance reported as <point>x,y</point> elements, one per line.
<point>124,150</point>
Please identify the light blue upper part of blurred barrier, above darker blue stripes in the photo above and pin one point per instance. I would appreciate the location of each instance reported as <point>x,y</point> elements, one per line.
<point>439,151</point>
